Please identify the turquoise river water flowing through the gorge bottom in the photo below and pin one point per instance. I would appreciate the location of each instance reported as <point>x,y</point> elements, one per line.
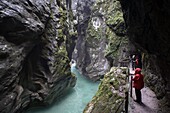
<point>73,100</point>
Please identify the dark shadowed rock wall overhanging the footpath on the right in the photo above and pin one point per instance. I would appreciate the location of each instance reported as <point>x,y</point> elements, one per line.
<point>148,28</point>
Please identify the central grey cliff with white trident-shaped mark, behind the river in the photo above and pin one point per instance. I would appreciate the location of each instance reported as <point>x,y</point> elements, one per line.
<point>101,37</point>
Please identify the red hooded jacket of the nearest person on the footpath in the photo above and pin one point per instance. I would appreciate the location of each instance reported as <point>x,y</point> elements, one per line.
<point>138,79</point>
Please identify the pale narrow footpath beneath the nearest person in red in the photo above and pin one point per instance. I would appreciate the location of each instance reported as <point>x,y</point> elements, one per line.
<point>149,101</point>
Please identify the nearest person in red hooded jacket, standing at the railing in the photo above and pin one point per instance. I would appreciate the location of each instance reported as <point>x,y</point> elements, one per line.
<point>138,84</point>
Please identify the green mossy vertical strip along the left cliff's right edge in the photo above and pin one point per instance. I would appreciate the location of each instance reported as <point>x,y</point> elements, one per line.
<point>64,41</point>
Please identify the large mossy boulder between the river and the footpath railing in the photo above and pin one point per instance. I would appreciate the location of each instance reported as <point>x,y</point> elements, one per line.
<point>112,93</point>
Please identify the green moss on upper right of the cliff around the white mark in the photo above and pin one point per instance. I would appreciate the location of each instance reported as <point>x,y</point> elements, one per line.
<point>112,27</point>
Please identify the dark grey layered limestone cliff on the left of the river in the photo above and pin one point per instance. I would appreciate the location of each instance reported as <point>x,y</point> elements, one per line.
<point>33,57</point>
